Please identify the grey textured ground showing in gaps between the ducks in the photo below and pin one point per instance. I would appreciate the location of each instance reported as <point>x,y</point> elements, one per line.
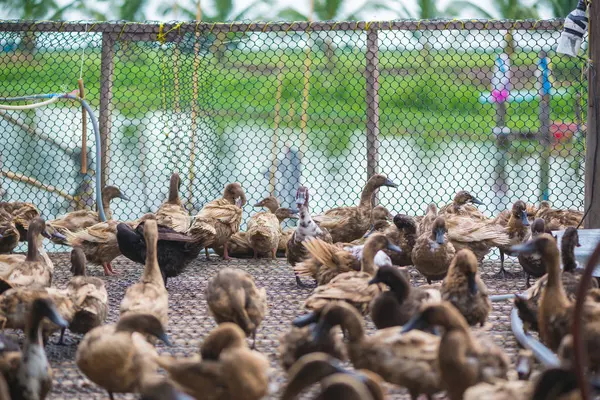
<point>189,320</point>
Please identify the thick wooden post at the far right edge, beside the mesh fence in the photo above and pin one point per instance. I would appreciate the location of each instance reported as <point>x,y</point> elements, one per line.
<point>592,153</point>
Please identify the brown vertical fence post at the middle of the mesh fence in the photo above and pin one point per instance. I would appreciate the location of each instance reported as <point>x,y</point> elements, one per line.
<point>372,81</point>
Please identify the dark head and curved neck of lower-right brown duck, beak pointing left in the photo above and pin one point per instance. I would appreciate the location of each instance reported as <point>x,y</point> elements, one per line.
<point>442,314</point>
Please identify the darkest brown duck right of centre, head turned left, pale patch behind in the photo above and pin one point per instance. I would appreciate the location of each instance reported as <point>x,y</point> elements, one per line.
<point>396,306</point>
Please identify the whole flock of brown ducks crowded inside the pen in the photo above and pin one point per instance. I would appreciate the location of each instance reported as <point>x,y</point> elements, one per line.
<point>356,255</point>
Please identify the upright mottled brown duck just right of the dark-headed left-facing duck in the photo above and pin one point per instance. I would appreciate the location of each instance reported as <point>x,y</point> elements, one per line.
<point>465,290</point>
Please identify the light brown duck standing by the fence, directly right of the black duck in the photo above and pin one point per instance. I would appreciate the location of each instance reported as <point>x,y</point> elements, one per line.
<point>220,219</point>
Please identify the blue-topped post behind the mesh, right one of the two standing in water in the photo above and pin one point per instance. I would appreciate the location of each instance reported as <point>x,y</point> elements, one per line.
<point>544,133</point>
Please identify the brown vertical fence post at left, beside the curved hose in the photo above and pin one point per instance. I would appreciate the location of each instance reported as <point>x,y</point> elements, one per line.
<point>107,69</point>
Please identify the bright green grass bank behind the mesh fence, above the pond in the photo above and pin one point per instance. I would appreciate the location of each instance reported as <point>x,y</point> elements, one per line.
<point>432,93</point>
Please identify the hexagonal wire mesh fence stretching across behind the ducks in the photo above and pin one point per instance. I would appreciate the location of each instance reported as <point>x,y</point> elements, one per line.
<point>437,106</point>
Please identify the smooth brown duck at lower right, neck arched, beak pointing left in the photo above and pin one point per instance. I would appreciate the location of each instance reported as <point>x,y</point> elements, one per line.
<point>463,361</point>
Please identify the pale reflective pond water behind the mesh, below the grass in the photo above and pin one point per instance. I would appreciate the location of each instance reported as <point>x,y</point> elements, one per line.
<point>143,156</point>
